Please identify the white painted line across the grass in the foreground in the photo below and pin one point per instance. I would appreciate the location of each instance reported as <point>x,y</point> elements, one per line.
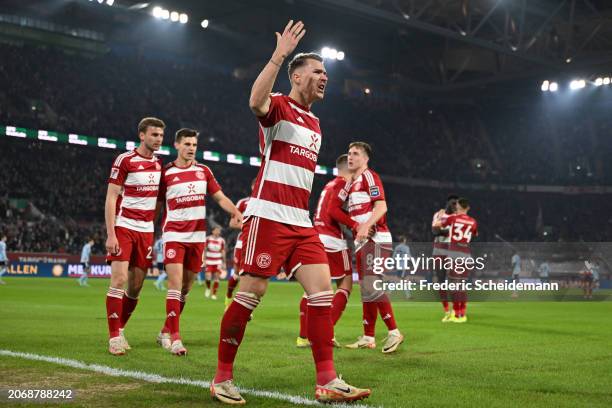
<point>156,378</point>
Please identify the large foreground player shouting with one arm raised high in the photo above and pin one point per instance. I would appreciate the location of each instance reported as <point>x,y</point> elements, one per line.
<point>277,230</point>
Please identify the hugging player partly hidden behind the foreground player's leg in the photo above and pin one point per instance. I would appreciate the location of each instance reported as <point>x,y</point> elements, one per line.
<point>327,220</point>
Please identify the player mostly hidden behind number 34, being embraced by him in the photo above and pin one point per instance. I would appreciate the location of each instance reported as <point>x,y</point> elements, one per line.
<point>440,249</point>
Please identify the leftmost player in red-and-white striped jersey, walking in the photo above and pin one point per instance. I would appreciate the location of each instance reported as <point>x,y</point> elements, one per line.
<point>129,212</point>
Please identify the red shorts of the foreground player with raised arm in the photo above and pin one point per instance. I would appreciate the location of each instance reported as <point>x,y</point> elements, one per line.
<point>269,245</point>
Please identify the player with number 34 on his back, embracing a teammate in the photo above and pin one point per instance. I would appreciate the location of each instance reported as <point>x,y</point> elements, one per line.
<point>462,228</point>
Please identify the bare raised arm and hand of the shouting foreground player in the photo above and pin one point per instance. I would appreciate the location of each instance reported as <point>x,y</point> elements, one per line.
<point>259,102</point>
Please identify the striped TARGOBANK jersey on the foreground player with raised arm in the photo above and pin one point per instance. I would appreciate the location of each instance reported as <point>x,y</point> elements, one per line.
<point>289,142</point>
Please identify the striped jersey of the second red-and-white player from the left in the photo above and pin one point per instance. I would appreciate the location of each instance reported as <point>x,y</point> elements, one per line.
<point>184,190</point>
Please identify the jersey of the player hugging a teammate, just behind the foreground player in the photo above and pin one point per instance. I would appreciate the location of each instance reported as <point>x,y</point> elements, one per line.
<point>332,197</point>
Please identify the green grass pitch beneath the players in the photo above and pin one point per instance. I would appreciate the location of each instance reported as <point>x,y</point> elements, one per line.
<point>508,354</point>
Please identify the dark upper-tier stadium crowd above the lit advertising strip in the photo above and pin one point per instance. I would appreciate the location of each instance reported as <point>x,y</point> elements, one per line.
<point>105,96</point>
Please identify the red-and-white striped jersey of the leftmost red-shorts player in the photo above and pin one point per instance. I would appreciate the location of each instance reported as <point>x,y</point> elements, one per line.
<point>139,178</point>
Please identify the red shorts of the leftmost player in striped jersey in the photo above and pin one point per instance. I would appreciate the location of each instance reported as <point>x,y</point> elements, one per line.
<point>134,247</point>
